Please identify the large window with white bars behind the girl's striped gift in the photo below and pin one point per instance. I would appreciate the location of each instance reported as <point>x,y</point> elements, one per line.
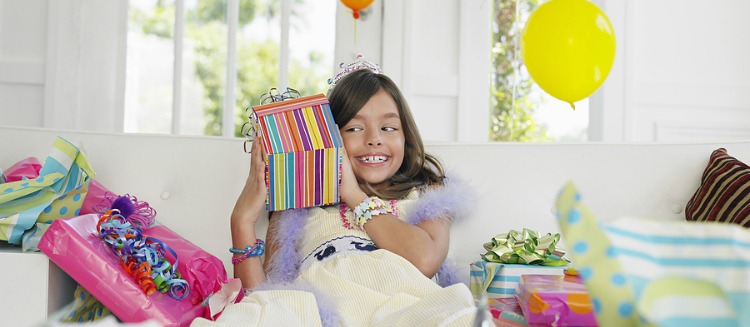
<point>193,67</point>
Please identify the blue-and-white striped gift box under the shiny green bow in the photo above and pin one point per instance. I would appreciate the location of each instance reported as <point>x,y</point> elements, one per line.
<point>500,280</point>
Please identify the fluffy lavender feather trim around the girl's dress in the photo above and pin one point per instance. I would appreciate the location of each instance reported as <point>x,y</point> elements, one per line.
<point>451,201</point>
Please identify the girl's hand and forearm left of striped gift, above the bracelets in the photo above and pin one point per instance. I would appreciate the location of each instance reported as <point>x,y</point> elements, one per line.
<point>253,197</point>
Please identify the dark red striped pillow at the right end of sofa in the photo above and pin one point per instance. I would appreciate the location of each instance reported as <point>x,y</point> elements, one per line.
<point>724,193</point>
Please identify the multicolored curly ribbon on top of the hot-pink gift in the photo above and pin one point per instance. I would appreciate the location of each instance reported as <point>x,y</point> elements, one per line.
<point>144,258</point>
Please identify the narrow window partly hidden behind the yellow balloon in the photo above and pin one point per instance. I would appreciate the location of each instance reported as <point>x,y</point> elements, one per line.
<point>521,111</point>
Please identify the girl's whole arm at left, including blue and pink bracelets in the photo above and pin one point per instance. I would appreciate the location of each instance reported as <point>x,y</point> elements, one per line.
<point>249,206</point>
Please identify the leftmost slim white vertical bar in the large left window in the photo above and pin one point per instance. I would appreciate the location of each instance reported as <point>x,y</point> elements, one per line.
<point>179,28</point>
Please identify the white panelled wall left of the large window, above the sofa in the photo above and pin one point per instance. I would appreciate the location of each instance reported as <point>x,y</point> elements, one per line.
<point>62,63</point>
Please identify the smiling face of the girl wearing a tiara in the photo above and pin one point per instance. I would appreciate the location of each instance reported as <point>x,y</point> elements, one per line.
<point>374,140</point>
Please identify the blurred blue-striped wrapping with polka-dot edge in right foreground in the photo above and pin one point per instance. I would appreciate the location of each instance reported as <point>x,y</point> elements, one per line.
<point>647,272</point>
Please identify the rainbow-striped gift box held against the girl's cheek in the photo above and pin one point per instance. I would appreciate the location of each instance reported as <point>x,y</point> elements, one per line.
<point>303,152</point>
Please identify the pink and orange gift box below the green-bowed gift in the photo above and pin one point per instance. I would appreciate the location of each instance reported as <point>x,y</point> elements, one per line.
<point>554,300</point>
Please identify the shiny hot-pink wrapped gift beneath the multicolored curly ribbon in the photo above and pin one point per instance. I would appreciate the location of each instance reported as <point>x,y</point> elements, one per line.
<point>76,246</point>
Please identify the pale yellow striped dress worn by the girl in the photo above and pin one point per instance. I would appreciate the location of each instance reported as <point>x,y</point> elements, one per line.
<point>344,280</point>
